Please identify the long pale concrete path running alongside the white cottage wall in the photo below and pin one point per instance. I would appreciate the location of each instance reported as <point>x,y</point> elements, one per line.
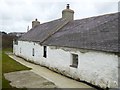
<point>59,80</point>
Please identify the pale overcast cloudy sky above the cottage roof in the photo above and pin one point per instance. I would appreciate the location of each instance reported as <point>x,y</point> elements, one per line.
<point>17,15</point>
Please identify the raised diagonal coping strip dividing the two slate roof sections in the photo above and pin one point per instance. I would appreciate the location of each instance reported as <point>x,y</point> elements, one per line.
<point>57,29</point>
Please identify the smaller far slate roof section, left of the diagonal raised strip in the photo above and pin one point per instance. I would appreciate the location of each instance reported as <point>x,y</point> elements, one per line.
<point>43,31</point>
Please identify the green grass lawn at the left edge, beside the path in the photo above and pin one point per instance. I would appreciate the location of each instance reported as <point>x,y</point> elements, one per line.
<point>9,65</point>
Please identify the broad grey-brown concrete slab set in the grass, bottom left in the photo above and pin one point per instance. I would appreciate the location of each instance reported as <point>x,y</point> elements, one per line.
<point>28,79</point>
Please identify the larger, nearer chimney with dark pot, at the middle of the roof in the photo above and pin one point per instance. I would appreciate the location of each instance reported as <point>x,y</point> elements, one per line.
<point>68,13</point>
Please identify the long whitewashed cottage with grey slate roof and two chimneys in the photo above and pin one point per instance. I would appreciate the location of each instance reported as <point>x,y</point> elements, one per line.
<point>85,49</point>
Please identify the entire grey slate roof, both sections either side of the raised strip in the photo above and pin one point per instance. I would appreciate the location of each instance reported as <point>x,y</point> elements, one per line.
<point>97,33</point>
